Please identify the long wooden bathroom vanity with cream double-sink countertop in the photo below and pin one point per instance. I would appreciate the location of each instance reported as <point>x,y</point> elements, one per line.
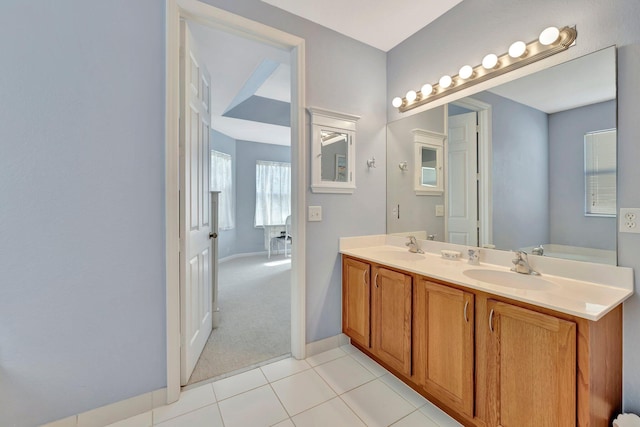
<point>489,346</point>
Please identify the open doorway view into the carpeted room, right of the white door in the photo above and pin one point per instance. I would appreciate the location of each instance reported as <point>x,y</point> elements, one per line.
<point>250,157</point>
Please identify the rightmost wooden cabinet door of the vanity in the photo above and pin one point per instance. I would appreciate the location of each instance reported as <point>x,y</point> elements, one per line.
<point>531,368</point>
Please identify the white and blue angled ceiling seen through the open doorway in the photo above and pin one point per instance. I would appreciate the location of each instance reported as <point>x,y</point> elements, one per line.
<point>250,86</point>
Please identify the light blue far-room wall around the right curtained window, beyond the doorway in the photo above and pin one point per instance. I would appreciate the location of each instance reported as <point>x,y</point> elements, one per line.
<point>248,238</point>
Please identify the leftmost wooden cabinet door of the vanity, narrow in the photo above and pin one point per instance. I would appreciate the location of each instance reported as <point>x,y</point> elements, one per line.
<point>356,300</point>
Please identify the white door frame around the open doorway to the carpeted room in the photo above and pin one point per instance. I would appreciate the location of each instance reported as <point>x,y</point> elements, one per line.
<point>202,13</point>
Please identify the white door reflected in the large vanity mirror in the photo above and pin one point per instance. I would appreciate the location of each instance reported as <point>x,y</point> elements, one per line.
<point>462,191</point>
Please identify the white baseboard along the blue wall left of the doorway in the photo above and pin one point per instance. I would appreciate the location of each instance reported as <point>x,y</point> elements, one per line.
<point>114,412</point>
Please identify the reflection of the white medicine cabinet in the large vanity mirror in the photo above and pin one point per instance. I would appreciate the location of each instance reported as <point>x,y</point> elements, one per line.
<point>428,162</point>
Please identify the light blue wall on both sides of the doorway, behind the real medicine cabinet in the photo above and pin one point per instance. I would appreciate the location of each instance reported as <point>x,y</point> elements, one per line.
<point>82,298</point>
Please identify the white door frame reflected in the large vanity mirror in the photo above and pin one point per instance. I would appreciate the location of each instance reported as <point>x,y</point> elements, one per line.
<point>485,198</point>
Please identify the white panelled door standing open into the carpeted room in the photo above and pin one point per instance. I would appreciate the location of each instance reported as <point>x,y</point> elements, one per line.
<point>195,246</point>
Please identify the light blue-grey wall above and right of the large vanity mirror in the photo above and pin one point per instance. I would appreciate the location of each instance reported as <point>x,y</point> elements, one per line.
<point>474,28</point>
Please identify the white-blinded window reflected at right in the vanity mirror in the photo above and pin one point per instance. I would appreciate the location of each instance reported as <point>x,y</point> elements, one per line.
<point>600,173</point>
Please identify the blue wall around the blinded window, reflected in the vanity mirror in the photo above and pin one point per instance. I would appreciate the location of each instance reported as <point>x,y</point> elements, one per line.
<point>569,225</point>
